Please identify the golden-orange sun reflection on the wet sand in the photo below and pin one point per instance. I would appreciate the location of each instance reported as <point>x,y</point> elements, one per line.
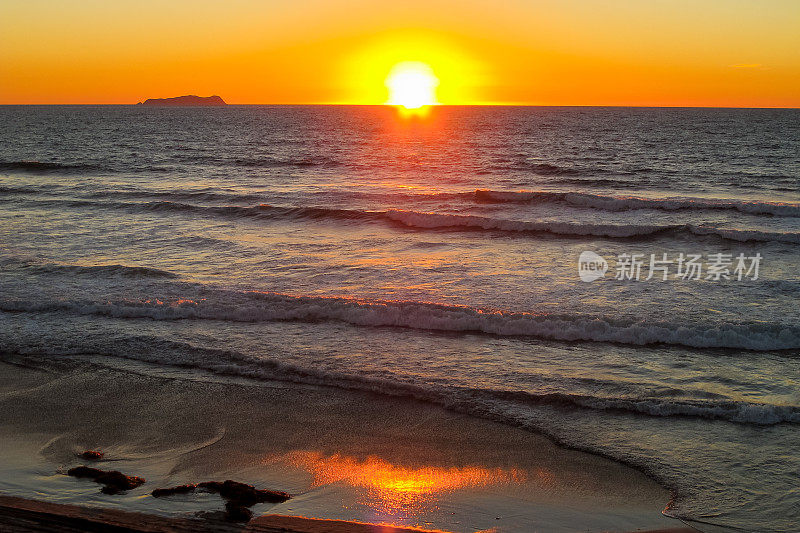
<point>394,491</point>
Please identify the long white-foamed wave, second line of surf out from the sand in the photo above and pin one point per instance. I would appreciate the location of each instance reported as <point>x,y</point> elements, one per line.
<point>265,307</point>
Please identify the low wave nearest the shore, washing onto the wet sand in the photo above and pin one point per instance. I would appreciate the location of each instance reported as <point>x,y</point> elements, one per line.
<point>475,401</point>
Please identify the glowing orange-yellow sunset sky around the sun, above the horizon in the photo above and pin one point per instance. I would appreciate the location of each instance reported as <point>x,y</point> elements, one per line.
<point>718,53</point>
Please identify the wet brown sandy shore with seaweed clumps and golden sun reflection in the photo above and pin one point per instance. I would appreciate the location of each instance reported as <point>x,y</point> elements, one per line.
<point>343,455</point>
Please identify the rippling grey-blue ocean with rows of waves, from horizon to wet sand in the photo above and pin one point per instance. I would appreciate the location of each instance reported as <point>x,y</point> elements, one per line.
<point>623,280</point>
